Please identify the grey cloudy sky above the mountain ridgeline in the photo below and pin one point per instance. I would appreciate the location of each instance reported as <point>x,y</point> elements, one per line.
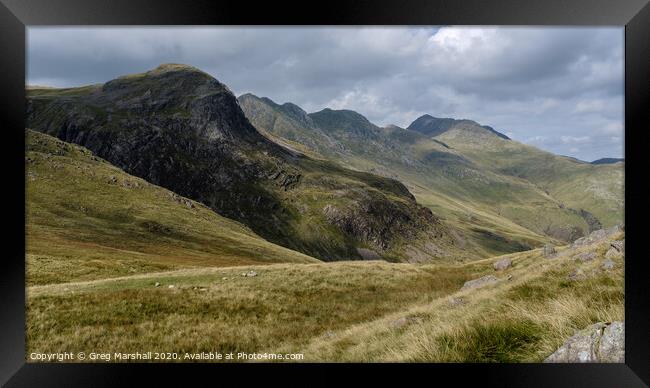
<point>560,89</point>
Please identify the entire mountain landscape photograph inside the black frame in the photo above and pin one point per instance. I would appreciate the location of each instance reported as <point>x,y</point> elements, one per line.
<point>325,194</point>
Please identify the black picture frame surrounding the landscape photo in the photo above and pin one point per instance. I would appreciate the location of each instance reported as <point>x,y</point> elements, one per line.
<point>16,15</point>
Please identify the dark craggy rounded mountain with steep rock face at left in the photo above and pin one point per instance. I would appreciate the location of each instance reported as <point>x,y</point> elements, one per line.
<point>180,128</point>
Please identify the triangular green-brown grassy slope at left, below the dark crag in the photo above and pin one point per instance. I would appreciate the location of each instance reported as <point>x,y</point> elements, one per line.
<point>87,219</point>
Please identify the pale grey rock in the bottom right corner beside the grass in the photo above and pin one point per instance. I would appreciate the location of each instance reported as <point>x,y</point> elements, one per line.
<point>601,342</point>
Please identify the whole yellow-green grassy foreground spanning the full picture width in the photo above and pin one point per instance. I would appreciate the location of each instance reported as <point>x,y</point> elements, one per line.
<point>345,311</point>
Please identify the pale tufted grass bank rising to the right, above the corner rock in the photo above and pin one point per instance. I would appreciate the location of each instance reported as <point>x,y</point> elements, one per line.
<point>528,313</point>
